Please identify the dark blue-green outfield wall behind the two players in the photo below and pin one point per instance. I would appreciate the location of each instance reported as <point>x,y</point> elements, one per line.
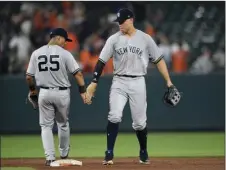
<point>202,107</point>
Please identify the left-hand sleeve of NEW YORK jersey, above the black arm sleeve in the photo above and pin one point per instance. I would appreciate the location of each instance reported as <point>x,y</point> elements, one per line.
<point>107,51</point>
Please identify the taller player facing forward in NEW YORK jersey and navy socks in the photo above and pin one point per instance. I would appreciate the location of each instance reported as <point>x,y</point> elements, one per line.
<point>131,50</point>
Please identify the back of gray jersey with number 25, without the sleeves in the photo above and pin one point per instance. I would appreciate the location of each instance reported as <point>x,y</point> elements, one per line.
<point>50,62</point>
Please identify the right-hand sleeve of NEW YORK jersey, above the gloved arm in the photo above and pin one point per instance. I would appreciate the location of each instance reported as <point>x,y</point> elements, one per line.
<point>155,55</point>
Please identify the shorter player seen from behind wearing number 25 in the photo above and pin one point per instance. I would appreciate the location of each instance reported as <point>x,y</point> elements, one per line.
<point>50,66</point>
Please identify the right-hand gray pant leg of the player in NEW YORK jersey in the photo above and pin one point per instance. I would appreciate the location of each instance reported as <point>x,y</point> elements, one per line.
<point>138,103</point>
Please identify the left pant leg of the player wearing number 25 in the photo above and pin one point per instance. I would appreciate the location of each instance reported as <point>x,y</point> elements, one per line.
<point>46,121</point>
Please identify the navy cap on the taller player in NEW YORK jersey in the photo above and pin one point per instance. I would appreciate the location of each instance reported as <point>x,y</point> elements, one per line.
<point>123,14</point>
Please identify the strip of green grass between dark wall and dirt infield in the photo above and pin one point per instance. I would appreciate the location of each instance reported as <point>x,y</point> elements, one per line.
<point>93,145</point>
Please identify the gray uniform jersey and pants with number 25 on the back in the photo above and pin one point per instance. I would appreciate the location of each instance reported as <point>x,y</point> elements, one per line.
<point>50,66</point>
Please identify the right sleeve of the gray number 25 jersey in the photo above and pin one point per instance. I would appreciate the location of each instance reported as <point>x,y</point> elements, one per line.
<point>71,64</point>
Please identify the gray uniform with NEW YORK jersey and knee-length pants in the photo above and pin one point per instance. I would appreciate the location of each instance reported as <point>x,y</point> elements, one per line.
<point>131,56</point>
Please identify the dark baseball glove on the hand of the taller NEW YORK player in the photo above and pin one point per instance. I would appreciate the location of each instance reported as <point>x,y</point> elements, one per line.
<point>172,96</point>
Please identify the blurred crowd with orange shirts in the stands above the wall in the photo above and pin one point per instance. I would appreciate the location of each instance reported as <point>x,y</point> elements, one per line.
<point>191,36</point>
